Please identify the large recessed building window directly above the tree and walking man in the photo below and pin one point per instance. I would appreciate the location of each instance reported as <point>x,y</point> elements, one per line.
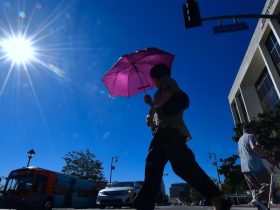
<point>266,92</point>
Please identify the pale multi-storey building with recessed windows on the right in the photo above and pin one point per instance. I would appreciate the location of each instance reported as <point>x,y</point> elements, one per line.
<point>256,87</point>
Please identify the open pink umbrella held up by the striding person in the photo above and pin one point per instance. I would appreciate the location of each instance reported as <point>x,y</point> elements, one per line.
<point>130,74</point>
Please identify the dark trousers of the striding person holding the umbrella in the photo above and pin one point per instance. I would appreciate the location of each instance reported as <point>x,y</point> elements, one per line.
<point>169,145</point>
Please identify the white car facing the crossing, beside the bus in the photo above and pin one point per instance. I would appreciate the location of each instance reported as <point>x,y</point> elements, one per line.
<point>118,194</point>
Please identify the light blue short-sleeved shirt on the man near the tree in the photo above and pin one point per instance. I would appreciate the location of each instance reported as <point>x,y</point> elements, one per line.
<point>250,160</point>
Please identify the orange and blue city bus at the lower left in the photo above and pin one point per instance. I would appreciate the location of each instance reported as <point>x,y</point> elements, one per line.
<point>37,188</point>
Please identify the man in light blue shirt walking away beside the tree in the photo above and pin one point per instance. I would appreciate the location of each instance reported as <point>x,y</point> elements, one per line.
<point>253,168</point>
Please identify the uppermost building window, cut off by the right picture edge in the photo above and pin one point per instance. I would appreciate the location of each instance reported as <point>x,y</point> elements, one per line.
<point>274,50</point>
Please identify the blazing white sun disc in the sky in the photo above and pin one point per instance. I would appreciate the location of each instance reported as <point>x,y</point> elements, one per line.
<point>18,49</point>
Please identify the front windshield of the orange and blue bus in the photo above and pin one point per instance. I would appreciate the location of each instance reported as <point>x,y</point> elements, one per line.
<point>21,183</point>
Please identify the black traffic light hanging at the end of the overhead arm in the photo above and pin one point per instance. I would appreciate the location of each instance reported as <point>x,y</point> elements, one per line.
<point>191,14</point>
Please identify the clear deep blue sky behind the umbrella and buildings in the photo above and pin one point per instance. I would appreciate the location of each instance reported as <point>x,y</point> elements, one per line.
<point>61,112</point>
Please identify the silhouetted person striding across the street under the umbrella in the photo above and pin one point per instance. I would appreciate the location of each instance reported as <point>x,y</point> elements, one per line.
<point>169,144</point>
